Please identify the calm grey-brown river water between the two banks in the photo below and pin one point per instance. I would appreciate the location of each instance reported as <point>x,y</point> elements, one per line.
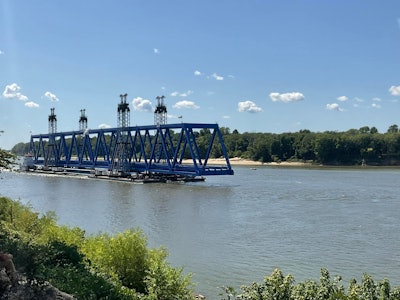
<point>233,230</point>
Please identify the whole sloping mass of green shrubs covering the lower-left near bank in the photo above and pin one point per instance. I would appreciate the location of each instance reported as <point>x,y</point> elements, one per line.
<point>95,267</point>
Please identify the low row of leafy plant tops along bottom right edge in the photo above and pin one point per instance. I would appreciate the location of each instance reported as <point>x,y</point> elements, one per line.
<point>279,287</point>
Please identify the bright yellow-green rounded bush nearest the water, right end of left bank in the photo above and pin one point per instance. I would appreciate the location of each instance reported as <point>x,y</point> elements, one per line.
<point>125,259</point>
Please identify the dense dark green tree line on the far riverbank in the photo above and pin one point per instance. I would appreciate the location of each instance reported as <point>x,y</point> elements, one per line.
<point>351,147</point>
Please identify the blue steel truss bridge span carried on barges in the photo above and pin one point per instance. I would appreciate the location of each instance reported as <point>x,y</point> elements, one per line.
<point>166,149</point>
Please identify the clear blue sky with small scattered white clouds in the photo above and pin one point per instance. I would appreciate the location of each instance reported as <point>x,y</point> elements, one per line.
<point>255,65</point>
